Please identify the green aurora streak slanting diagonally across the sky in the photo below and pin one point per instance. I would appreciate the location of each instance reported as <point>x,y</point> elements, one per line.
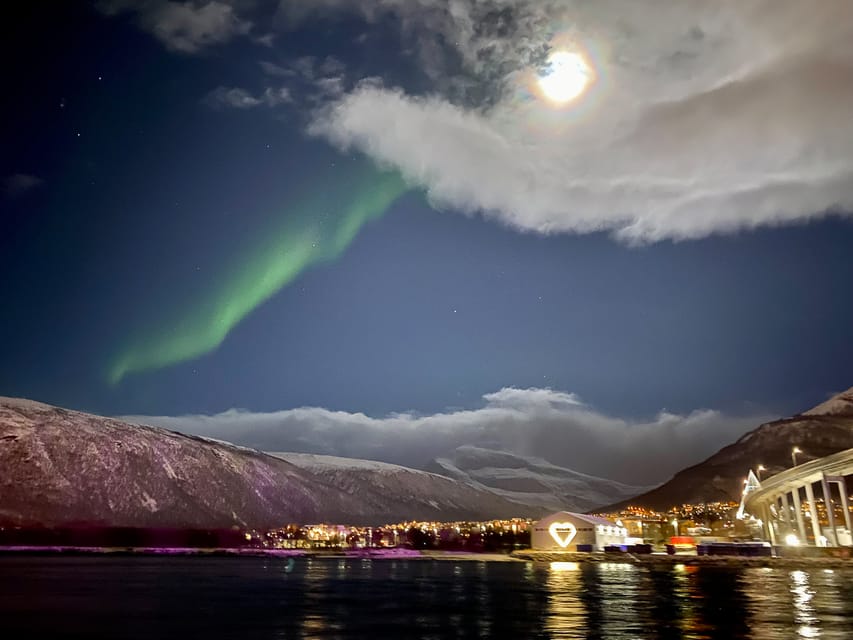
<point>314,231</point>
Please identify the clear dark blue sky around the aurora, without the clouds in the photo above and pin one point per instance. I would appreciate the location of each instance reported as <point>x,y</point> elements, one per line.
<point>144,193</point>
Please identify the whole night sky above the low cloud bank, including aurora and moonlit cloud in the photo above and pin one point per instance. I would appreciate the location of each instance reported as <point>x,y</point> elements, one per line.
<point>367,207</point>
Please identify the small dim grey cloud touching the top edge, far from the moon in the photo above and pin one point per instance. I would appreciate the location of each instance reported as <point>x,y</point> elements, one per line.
<point>187,27</point>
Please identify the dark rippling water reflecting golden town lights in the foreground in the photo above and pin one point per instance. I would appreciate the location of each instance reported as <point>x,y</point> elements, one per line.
<point>191,597</point>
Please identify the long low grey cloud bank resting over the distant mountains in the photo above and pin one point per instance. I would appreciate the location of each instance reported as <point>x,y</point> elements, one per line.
<point>535,422</point>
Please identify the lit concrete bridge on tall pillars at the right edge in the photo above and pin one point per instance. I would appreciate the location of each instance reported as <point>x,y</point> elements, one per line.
<point>778,502</point>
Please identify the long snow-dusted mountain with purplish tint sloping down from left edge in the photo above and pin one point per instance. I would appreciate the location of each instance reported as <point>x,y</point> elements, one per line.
<point>64,467</point>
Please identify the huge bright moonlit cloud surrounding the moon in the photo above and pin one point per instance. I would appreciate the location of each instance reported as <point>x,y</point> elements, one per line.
<point>704,118</point>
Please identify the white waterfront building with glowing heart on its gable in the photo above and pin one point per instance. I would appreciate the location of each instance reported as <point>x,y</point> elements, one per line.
<point>566,531</point>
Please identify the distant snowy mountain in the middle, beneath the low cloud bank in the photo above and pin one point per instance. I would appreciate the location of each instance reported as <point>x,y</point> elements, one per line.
<point>532,481</point>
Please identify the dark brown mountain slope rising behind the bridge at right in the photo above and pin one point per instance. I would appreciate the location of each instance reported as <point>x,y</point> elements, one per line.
<point>818,432</point>
